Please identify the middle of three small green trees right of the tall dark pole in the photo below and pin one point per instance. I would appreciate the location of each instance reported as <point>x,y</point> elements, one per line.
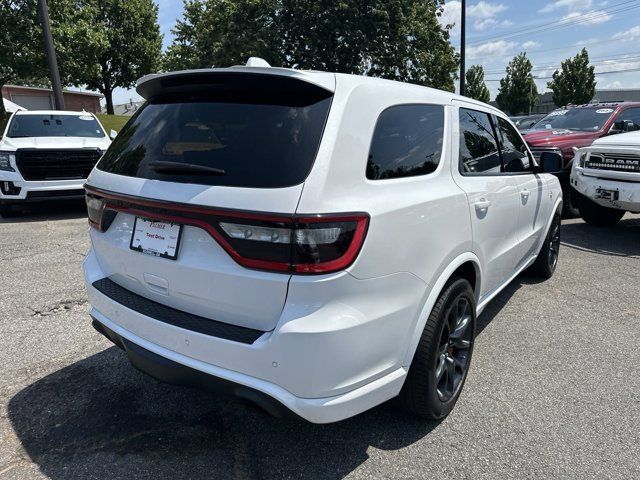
<point>517,92</point>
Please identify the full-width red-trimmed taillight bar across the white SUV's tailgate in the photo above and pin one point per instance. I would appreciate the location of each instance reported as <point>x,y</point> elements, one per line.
<point>304,244</point>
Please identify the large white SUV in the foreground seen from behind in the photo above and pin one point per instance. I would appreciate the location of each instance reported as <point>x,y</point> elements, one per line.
<point>317,241</point>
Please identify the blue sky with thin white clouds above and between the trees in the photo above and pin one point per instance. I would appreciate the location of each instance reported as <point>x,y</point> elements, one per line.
<point>549,31</point>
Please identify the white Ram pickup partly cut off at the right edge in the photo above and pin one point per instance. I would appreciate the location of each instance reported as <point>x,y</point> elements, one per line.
<point>606,178</point>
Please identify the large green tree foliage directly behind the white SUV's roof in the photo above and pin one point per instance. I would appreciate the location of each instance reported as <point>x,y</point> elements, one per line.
<point>395,39</point>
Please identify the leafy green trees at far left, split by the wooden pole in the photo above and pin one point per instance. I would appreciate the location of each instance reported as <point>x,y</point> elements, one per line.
<point>100,44</point>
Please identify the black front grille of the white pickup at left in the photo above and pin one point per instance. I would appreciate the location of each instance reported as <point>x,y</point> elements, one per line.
<point>44,164</point>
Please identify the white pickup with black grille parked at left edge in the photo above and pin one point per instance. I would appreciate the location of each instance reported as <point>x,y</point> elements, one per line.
<point>47,155</point>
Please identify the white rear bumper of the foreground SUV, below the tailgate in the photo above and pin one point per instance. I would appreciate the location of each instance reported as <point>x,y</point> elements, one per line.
<point>326,360</point>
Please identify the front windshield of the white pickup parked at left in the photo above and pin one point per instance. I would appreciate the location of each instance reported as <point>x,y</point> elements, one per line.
<point>54,126</point>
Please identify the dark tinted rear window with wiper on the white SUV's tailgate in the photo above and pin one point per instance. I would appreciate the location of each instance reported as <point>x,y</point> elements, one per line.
<point>258,140</point>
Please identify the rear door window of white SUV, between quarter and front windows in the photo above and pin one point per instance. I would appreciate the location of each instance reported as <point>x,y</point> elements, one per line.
<point>478,146</point>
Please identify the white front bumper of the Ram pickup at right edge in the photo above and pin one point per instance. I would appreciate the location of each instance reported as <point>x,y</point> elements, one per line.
<point>628,192</point>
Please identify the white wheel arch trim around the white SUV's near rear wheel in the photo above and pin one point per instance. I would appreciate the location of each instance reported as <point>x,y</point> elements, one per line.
<point>432,297</point>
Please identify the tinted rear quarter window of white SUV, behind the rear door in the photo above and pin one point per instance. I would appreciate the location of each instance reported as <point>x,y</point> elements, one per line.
<point>407,141</point>
